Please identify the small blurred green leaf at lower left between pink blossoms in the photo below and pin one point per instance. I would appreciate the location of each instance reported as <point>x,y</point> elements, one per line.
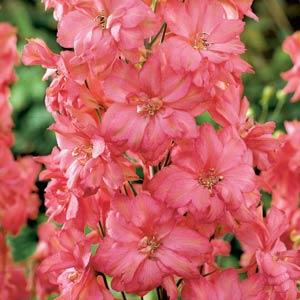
<point>24,244</point>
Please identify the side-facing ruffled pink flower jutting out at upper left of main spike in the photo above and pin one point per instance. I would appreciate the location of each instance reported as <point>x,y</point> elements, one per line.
<point>72,86</point>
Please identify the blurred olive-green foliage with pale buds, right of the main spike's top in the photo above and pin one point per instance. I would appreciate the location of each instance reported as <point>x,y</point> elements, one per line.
<point>263,41</point>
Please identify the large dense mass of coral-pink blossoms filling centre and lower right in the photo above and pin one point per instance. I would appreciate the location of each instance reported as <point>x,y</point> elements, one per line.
<point>142,196</point>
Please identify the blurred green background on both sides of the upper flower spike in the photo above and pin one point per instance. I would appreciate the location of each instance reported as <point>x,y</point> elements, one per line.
<point>278,18</point>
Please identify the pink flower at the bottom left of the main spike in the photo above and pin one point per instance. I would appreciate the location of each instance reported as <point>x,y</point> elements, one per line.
<point>69,268</point>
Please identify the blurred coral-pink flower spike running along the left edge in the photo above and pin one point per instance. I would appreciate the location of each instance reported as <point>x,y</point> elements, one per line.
<point>18,200</point>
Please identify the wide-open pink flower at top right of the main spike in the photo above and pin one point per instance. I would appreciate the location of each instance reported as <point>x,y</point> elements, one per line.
<point>200,30</point>
